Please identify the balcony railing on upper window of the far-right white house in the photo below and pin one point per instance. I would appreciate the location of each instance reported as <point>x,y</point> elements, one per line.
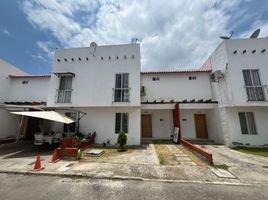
<point>255,93</point>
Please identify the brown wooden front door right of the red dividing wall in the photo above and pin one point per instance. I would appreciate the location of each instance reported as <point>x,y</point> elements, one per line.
<point>200,126</point>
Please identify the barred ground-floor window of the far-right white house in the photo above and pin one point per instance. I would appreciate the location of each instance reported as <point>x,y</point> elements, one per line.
<point>247,123</point>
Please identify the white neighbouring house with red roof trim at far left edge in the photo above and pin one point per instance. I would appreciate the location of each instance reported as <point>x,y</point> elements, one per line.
<point>18,87</point>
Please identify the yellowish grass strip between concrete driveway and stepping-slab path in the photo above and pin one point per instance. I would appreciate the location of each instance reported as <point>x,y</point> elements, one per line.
<point>165,156</point>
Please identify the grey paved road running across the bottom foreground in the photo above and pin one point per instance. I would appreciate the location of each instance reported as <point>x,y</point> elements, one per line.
<point>14,187</point>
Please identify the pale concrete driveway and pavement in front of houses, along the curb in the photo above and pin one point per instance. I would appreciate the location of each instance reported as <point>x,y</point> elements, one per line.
<point>141,164</point>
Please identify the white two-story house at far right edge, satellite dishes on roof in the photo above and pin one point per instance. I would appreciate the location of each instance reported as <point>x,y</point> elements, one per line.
<point>239,83</point>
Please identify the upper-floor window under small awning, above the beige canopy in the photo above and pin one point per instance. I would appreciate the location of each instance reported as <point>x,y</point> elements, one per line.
<point>65,89</point>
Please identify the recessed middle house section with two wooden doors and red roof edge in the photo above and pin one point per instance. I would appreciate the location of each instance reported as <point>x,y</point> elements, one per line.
<point>190,91</point>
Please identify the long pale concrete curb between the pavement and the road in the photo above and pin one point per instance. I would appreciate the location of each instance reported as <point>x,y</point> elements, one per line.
<point>83,175</point>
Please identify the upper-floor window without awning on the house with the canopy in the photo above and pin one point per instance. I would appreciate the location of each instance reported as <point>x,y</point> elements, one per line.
<point>121,91</point>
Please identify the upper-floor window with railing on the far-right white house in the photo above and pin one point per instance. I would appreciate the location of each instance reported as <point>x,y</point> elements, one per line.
<point>254,88</point>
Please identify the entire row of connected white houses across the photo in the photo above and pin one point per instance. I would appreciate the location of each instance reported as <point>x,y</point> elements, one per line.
<point>103,89</point>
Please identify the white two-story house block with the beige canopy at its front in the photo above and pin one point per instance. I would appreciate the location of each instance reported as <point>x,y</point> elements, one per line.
<point>103,83</point>
